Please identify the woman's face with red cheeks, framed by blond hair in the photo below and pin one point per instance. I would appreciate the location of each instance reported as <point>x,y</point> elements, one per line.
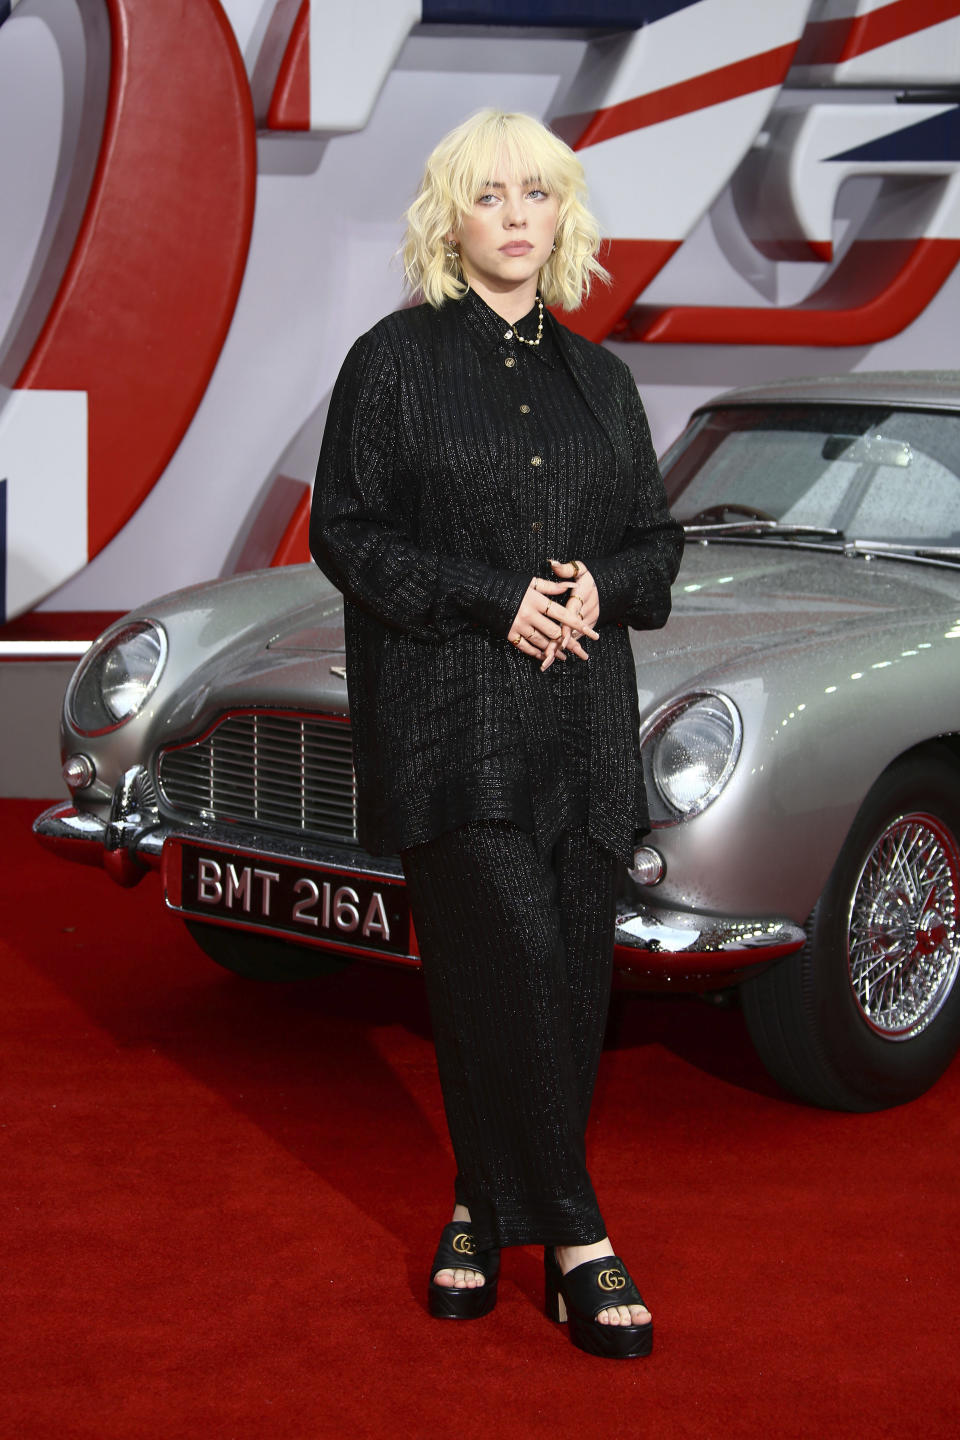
<point>509,235</point>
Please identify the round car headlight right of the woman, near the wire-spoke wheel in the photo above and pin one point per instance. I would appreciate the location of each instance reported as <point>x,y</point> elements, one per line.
<point>693,748</point>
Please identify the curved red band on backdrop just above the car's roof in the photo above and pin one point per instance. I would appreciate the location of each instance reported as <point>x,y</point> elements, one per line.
<point>877,292</point>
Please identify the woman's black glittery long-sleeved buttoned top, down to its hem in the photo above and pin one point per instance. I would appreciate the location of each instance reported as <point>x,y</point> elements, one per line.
<point>431,518</point>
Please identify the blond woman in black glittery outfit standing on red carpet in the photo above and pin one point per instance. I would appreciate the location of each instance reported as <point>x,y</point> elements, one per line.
<point>490,505</point>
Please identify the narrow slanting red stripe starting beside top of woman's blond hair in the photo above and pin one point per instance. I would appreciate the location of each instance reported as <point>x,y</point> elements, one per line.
<point>729,83</point>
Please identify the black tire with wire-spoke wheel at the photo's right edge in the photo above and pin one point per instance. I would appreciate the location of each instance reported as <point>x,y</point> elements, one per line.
<point>867,1014</point>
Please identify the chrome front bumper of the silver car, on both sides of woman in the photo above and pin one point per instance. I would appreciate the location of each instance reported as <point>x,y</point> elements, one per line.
<point>657,947</point>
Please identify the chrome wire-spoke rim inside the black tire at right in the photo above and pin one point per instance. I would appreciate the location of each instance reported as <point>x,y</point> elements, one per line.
<point>905,928</point>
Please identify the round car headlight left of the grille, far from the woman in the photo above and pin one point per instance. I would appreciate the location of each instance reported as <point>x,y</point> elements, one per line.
<point>116,678</point>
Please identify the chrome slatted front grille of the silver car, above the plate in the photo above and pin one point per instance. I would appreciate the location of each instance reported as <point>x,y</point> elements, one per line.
<point>283,773</point>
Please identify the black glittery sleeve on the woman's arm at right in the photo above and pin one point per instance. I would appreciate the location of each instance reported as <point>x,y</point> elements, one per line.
<point>634,582</point>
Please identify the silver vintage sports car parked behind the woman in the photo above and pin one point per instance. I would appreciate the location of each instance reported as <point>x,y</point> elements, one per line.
<point>801,728</point>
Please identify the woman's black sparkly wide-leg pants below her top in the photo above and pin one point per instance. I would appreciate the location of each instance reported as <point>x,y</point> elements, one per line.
<point>517,957</point>
